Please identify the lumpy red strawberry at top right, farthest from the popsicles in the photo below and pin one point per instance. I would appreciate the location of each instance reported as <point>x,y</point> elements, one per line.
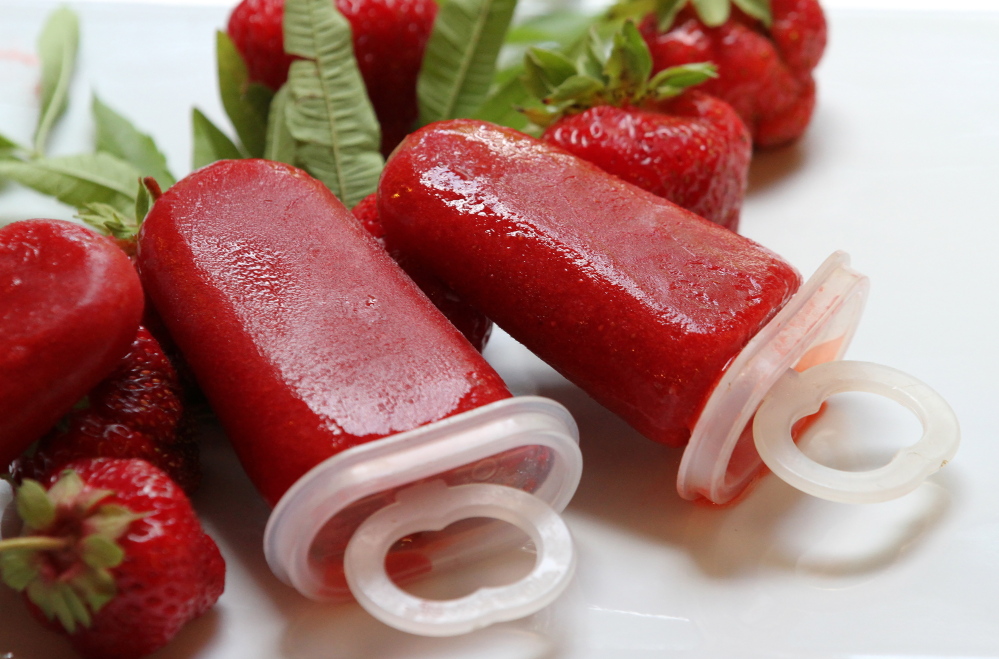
<point>765,58</point>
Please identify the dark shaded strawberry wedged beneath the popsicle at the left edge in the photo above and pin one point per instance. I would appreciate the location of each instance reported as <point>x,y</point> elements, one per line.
<point>136,412</point>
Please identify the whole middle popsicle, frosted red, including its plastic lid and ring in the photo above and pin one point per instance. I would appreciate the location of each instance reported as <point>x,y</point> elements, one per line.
<point>359,412</point>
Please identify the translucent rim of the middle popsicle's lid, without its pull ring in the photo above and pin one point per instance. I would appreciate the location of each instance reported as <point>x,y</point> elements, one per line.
<point>415,456</point>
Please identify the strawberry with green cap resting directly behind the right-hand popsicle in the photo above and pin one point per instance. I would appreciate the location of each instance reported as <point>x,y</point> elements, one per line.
<point>658,134</point>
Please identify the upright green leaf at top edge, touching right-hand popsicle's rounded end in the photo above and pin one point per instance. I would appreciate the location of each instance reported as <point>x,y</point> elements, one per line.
<point>460,59</point>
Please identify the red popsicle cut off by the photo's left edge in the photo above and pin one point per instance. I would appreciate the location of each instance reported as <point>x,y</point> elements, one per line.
<point>70,303</point>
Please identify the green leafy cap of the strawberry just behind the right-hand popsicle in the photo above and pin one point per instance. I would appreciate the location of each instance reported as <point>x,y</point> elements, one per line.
<point>617,74</point>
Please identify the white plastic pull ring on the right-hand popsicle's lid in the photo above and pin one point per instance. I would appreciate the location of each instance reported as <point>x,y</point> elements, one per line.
<point>796,395</point>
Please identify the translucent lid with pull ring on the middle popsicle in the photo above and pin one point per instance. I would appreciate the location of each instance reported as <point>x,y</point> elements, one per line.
<point>353,525</point>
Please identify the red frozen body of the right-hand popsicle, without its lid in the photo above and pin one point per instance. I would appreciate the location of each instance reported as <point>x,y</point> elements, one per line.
<point>636,300</point>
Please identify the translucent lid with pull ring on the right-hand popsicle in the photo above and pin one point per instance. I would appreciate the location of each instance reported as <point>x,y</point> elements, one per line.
<point>783,375</point>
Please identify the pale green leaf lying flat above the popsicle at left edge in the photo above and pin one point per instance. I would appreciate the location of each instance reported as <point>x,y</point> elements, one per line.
<point>78,180</point>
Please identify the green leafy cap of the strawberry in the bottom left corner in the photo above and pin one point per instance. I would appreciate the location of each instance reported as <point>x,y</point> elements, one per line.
<point>62,560</point>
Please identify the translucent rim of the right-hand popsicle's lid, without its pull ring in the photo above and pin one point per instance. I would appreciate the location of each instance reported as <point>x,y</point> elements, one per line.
<point>815,326</point>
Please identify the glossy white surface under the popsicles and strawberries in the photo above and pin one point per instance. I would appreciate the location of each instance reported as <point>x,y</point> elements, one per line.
<point>898,169</point>
